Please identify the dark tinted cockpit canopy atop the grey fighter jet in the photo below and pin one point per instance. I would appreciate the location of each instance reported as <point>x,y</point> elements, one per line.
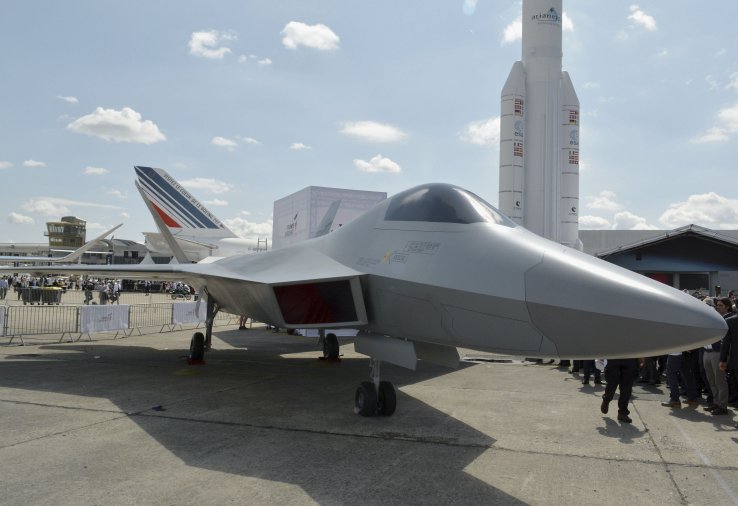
<point>443,203</point>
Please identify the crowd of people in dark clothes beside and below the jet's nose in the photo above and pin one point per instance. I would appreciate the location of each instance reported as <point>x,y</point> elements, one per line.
<point>705,376</point>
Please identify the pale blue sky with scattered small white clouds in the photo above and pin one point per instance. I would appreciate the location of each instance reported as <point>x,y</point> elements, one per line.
<point>245,102</point>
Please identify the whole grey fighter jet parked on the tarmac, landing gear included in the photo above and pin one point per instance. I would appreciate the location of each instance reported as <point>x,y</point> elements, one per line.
<point>434,268</point>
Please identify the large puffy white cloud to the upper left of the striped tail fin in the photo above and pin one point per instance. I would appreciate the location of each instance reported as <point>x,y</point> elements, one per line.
<point>117,126</point>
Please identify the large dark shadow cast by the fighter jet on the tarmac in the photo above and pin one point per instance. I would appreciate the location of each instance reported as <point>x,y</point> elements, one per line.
<point>253,412</point>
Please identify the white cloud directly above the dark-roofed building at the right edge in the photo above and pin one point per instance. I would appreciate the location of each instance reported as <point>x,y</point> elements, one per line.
<point>707,209</point>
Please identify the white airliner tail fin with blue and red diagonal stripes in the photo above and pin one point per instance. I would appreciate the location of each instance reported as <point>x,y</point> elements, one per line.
<point>176,208</point>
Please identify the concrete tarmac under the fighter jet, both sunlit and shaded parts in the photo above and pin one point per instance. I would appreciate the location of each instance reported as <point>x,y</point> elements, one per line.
<point>127,421</point>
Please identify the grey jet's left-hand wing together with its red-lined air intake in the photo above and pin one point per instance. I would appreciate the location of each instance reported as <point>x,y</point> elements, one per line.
<point>291,288</point>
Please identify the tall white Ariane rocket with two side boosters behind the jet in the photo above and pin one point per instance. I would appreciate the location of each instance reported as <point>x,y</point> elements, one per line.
<point>539,132</point>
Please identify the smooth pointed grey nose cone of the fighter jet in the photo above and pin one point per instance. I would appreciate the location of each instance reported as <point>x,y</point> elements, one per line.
<point>589,308</point>
